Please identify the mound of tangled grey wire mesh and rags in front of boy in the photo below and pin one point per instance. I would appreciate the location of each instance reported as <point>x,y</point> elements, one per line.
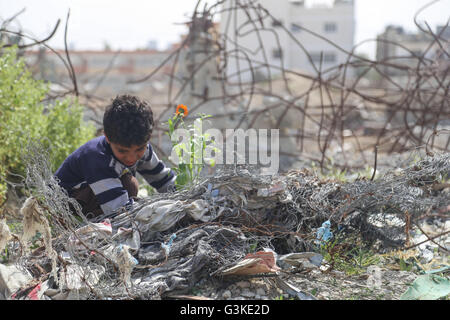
<point>165,244</point>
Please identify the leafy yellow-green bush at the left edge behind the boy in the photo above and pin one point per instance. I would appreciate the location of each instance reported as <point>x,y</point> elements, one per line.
<point>24,116</point>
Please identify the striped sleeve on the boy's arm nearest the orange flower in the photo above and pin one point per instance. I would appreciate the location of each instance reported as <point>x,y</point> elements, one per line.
<point>156,173</point>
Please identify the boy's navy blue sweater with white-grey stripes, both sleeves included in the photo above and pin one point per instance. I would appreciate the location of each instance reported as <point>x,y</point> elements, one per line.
<point>94,164</point>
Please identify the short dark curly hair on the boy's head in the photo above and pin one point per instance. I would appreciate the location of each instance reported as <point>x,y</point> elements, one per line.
<point>128,121</point>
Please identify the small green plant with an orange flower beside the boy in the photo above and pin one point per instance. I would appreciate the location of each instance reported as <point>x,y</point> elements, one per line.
<point>189,153</point>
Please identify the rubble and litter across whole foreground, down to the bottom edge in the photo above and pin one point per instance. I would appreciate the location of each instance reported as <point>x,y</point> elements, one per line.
<point>240,234</point>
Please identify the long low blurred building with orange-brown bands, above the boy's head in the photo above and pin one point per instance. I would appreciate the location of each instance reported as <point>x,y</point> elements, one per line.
<point>99,73</point>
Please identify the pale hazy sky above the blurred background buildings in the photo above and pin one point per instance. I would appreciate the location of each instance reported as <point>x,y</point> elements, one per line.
<point>133,23</point>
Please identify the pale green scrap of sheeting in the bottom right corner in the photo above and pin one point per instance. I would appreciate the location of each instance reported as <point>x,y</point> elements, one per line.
<point>427,287</point>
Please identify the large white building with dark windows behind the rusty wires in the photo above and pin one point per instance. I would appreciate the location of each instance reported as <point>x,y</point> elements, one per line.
<point>298,30</point>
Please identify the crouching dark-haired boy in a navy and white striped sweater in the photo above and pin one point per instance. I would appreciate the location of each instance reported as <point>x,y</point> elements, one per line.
<point>100,174</point>
